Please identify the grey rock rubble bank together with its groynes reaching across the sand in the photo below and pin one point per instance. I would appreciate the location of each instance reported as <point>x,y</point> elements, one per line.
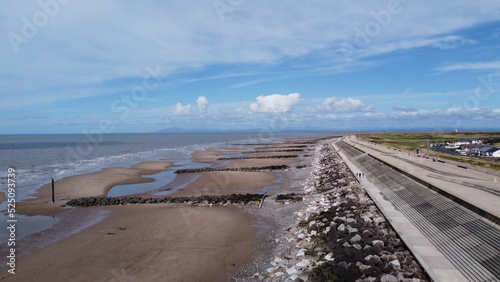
<point>329,229</point>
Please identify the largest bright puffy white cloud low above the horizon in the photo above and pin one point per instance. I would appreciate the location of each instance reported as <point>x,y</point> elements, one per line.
<point>275,103</point>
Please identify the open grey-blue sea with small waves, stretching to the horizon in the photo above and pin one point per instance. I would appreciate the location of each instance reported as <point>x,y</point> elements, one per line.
<point>37,158</point>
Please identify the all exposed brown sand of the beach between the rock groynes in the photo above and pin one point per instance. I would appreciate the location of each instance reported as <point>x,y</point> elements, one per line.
<point>151,242</point>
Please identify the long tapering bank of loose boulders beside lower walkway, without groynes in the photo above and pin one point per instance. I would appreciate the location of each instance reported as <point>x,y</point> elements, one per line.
<point>341,235</point>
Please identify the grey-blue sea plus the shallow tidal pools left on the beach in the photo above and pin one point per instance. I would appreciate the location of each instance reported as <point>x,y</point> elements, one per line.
<point>36,159</point>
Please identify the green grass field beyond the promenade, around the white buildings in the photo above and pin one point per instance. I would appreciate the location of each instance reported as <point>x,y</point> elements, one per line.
<point>412,141</point>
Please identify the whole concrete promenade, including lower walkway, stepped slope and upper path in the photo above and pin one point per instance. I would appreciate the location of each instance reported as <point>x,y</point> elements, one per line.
<point>453,243</point>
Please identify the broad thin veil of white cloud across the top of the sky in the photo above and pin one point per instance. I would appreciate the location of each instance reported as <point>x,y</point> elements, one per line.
<point>99,38</point>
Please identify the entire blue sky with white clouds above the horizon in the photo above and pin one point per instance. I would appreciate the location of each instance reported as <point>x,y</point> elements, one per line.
<point>87,66</point>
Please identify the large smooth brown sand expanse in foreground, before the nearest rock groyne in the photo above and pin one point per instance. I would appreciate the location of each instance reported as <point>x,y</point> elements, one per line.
<point>161,242</point>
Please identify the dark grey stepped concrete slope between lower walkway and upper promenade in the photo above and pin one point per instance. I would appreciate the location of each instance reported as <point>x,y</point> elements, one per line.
<point>469,241</point>
